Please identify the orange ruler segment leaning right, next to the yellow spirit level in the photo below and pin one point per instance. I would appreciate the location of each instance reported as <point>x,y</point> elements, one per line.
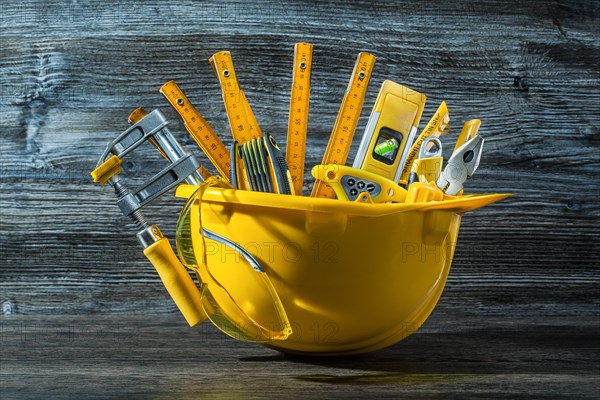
<point>347,119</point>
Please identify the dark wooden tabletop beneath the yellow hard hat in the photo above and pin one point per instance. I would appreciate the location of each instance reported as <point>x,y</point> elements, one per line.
<point>452,356</point>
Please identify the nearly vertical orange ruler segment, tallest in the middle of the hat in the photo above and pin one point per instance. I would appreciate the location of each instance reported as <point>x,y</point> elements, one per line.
<point>298,119</point>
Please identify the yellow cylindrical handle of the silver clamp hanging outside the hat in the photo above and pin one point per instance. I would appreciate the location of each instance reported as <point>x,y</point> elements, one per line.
<point>176,279</point>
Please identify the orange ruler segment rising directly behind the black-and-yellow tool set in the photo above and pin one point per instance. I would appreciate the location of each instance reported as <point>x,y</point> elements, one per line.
<point>241,119</point>
